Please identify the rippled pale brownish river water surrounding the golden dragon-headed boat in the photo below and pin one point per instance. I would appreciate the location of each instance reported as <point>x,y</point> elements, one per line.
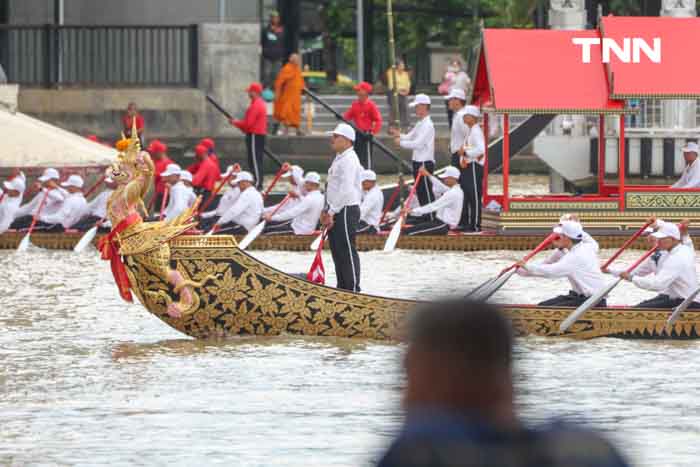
<point>86,379</point>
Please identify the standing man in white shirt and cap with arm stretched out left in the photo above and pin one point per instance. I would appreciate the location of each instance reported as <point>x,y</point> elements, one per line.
<point>421,140</point>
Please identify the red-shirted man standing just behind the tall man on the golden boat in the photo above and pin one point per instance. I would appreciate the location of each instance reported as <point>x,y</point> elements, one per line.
<point>366,117</point>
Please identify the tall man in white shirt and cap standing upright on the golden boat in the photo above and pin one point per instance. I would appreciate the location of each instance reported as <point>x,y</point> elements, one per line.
<point>342,213</point>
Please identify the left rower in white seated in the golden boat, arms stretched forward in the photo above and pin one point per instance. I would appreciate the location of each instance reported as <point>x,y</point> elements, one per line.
<point>573,259</point>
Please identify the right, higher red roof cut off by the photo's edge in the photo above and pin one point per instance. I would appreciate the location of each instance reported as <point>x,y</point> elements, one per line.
<point>675,77</point>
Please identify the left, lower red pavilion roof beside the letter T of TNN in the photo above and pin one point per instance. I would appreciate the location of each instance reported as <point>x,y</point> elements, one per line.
<point>541,71</point>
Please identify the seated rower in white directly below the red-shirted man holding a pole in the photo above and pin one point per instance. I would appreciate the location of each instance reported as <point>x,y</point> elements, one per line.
<point>246,211</point>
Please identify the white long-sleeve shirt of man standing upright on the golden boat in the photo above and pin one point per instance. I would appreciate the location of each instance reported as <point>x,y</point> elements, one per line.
<point>344,187</point>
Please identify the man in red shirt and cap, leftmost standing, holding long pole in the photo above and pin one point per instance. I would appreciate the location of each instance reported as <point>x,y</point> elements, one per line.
<point>254,125</point>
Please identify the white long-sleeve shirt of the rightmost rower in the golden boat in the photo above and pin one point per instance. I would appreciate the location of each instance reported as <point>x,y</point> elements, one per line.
<point>674,275</point>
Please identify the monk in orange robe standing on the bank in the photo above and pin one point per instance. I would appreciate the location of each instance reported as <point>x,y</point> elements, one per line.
<point>288,87</point>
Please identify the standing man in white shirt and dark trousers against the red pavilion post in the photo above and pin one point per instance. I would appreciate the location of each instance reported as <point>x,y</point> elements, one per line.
<point>471,162</point>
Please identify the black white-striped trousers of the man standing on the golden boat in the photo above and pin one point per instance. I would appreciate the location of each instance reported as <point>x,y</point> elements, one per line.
<point>341,238</point>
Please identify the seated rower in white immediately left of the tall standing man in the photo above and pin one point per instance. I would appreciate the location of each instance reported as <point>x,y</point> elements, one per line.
<point>303,217</point>
